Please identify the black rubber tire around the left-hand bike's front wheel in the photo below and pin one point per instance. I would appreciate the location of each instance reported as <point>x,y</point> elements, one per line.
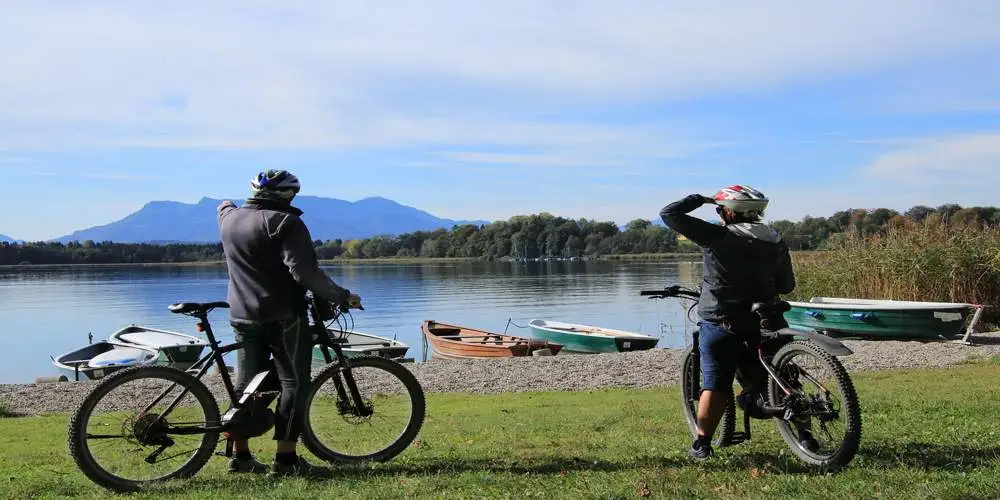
<point>409,433</point>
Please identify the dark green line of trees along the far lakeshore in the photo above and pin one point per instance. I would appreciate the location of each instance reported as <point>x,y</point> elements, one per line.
<point>521,237</point>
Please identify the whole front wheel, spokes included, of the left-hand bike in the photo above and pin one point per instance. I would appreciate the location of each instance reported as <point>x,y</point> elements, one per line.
<point>336,432</point>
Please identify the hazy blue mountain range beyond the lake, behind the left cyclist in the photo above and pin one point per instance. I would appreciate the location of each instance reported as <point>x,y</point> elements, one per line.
<point>327,218</point>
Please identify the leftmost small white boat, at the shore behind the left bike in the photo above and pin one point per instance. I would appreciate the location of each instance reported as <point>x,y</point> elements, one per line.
<point>99,359</point>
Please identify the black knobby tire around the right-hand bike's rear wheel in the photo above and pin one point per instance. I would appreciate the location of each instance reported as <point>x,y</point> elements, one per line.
<point>852,409</point>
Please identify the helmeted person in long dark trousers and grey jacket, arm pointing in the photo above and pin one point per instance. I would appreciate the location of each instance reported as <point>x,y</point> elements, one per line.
<point>272,262</point>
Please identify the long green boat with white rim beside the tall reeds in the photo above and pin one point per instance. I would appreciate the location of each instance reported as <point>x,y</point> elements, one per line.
<point>883,319</point>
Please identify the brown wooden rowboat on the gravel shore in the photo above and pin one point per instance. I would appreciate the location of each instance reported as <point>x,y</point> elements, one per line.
<point>453,341</point>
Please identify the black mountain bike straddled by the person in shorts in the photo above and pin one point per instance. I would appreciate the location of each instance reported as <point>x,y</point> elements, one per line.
<point>822,429</point>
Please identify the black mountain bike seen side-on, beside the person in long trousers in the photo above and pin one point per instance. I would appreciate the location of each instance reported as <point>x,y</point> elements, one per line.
<point>166,421</point>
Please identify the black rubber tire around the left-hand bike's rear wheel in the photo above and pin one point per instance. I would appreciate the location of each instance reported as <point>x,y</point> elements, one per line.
<point>80,451</point>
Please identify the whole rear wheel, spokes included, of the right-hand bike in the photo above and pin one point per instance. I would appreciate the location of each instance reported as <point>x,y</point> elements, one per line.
<point>826,429</point>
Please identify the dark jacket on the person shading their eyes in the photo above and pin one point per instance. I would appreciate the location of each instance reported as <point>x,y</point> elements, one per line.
<point>744,262</point>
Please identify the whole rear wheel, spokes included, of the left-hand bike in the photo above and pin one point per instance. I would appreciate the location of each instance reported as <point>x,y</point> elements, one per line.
<point>124,409</point>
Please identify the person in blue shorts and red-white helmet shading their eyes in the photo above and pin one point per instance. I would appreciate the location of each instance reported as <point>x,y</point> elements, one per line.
<point>745,261</point>
